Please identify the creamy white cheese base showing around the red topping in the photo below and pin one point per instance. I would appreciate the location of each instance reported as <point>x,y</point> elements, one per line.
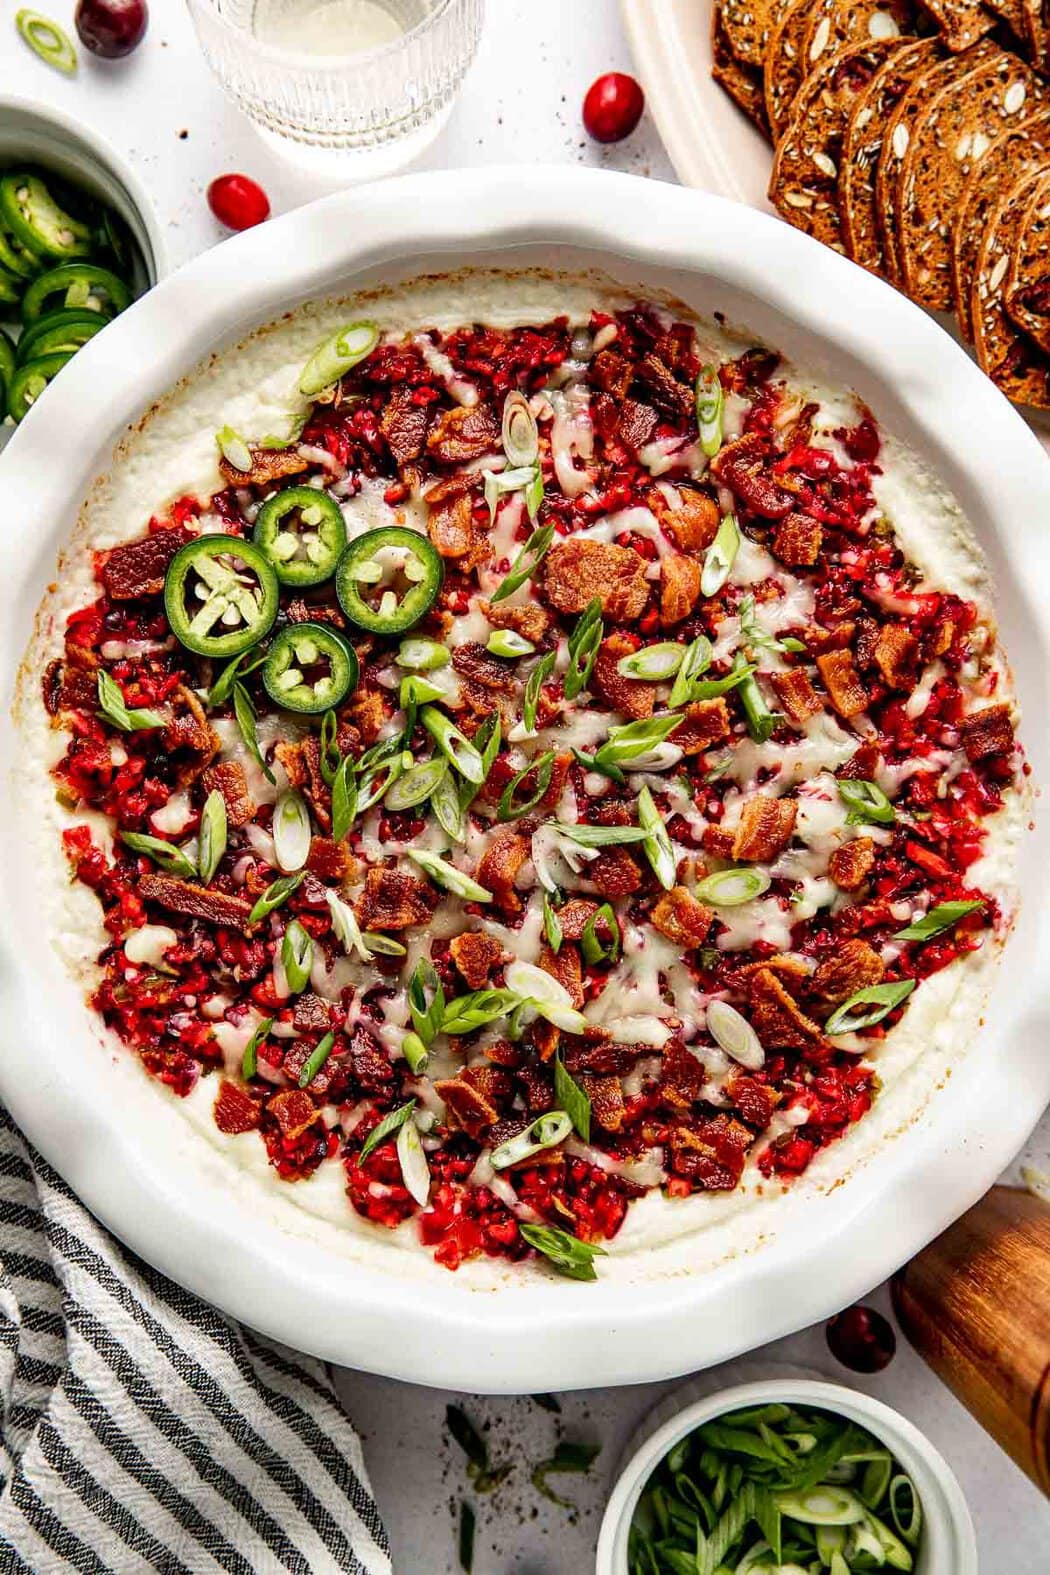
<point>253,388</point>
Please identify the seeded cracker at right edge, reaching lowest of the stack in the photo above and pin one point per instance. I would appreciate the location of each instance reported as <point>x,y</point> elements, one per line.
<point>1011,360</point>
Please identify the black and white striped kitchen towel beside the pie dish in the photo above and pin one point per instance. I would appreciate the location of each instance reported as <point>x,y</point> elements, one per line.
<point>142,1431</point>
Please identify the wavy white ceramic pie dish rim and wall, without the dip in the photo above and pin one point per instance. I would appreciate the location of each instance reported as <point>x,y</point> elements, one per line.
<point>117,1138</point>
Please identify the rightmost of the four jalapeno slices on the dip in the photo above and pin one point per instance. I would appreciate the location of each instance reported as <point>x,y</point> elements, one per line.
<point>388,579</point>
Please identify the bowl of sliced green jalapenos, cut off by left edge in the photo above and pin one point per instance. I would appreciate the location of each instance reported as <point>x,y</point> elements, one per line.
<point>78,245</point>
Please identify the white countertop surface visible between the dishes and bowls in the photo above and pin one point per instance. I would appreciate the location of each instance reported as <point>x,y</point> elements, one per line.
<point>520,105</point>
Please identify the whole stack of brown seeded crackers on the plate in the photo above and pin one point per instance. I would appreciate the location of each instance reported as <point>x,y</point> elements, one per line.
<point>917,141</point>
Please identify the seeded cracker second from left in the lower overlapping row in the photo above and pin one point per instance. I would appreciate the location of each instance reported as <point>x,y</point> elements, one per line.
<point>862,147</point>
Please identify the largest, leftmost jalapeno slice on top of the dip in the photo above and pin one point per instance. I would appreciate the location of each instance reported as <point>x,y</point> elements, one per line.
<point>221,596</point>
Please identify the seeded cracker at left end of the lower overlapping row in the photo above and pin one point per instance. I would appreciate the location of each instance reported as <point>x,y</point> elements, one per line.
<point>805,182</point>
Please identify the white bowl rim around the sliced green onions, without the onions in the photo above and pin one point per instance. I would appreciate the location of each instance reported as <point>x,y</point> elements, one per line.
<point>948,1541</point>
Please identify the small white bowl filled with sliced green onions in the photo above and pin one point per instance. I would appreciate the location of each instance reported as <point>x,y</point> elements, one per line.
<point>788,1477</point>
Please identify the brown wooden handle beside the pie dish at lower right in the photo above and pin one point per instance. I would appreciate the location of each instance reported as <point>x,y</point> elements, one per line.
<point>977,1306</point>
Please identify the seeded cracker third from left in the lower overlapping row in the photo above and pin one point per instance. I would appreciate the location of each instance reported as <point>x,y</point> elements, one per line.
<point>948,141</point>
